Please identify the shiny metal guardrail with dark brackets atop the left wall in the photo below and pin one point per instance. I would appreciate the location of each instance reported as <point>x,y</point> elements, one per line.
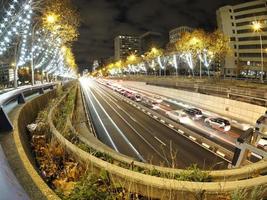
<point>19,96</point>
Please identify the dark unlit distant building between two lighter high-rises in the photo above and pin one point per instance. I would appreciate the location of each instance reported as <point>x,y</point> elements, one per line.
<point>151,39</point>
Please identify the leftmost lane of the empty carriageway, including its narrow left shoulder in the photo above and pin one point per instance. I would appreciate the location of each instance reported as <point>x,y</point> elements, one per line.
<point>106,129</point>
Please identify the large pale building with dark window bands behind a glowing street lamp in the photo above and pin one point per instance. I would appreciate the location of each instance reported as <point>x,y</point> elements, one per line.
<point>238,23</point>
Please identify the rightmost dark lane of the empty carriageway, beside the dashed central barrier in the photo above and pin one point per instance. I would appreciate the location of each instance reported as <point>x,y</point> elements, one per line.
<point>188,152</point>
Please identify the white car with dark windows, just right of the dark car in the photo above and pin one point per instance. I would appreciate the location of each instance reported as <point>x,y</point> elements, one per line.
<point>218,123</point>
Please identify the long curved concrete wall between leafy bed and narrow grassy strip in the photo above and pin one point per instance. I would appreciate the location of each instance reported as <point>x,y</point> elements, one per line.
<point>151,186</point>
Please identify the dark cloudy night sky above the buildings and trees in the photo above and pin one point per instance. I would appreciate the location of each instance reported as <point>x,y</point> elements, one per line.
<point>102,20</point>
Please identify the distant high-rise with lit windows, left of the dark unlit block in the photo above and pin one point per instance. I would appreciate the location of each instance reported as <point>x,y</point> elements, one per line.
<point>125,45</point>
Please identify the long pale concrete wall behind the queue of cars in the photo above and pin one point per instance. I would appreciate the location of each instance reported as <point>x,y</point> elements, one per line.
<point>231,108</point>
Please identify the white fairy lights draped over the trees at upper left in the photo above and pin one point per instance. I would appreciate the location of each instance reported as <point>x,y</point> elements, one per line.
<point>16,34</point>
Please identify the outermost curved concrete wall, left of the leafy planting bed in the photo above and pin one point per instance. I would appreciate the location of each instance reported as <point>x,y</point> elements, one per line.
<point>31,180</point>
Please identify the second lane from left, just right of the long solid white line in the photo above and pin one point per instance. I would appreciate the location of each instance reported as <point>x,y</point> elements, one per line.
<point>130,132</point>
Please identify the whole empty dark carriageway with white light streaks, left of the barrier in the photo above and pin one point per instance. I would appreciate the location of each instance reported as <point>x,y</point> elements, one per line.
<point>133,133</point>
